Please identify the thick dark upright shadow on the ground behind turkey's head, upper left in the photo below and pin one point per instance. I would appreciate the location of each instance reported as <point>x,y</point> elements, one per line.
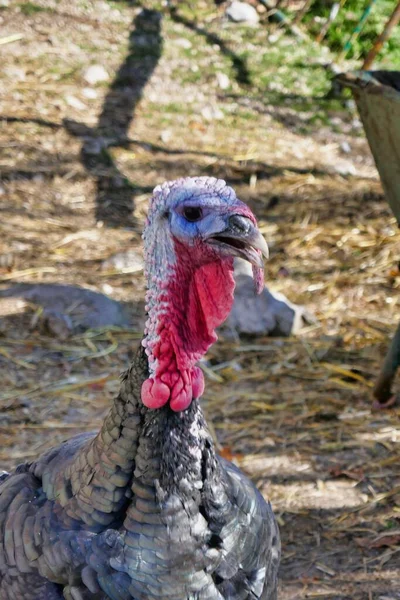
<point>115,195</point>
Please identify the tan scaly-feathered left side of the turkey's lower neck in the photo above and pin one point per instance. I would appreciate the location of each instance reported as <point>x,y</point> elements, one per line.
<point>94,486</point>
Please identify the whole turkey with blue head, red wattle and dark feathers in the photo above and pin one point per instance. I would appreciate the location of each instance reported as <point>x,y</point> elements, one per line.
<point>145,509</point>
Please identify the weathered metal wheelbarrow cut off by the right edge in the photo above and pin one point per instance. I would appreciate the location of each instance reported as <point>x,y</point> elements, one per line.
<point>377,95</point>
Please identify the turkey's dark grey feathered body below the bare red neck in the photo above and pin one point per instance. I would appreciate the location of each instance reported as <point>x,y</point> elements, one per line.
<point>143,510</point>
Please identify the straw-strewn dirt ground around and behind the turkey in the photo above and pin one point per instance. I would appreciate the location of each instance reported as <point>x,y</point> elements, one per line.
<point>187,94</point>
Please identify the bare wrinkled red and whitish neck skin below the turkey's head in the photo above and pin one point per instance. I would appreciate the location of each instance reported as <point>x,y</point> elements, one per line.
<point>185,304</point>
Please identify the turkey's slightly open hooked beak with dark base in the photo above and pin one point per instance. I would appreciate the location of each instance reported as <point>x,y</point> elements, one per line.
<point>242,238</point>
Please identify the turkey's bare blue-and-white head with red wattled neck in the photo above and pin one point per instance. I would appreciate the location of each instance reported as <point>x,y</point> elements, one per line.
<point>195,228</point>
